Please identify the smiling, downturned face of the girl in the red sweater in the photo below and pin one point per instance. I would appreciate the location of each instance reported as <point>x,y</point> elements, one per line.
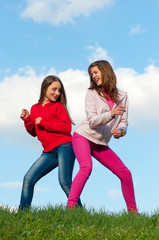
<point>53,92</point>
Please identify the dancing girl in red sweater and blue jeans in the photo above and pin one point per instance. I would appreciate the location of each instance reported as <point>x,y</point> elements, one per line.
<point>50,121</point>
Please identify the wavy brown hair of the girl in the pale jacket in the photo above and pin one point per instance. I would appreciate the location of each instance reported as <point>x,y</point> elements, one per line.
<point>109,80</point>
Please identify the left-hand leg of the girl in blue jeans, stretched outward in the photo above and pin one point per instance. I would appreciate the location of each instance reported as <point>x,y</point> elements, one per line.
<point>43,165</point>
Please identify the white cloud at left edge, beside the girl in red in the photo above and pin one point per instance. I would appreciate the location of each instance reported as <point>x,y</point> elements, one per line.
<point>18,91</point>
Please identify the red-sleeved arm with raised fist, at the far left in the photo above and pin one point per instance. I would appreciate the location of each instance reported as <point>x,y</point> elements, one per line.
<point>28,122</point>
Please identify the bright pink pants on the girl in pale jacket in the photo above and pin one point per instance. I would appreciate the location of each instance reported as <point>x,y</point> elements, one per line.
<point>83,149</point>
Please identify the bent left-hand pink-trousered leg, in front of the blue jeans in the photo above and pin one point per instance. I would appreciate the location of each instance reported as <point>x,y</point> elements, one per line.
<point>82,151</point>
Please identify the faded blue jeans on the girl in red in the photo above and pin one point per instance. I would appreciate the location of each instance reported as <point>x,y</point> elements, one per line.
<point>61,156</point>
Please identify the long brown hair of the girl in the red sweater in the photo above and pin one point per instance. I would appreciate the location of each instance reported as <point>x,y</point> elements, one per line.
<point>62,98</point>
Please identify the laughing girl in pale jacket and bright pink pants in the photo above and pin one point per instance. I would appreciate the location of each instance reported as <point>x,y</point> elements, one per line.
<point>106,110</point>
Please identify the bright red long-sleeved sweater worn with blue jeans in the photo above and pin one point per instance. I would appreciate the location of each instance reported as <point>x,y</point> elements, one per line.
<point>55,127</point>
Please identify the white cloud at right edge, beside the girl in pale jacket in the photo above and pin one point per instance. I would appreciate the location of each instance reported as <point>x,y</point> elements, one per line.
<point>143,95</point>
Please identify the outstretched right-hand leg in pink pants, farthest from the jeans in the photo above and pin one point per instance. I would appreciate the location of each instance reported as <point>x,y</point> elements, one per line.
<point>110,160</point>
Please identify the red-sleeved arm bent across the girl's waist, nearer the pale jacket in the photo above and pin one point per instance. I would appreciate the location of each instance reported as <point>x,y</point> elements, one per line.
<point>60,125</point>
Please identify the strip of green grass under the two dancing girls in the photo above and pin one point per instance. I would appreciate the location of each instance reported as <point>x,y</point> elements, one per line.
<point>61,223</point>
